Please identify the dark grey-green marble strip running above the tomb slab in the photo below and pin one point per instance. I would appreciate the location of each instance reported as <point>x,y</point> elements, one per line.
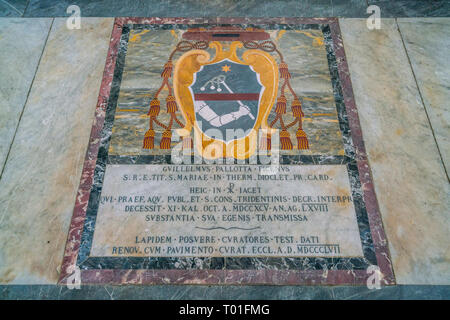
<point>247,8</point>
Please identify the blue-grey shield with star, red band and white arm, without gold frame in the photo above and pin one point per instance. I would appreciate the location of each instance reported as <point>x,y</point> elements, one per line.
<point>226,98</point>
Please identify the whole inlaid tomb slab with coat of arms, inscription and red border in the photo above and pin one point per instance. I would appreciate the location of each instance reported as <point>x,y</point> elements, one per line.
<point>142,216</point>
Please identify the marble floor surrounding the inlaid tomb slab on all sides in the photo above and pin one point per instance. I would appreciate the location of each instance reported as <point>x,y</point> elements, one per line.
<point>50,78</point>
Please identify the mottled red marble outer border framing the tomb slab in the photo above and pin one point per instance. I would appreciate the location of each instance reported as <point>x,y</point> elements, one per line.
<point>276,277</point>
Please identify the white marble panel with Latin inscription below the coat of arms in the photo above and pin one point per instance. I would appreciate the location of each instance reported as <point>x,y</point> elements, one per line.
<point>122,223</point>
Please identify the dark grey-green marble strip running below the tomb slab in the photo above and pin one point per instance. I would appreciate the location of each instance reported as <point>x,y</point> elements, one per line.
<point>199,292</point>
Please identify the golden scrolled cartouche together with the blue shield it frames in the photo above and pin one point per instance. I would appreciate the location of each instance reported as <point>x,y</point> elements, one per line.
<point>226,100</point>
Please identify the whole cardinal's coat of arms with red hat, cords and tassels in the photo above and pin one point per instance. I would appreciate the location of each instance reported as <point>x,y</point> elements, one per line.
<point>225,100</point>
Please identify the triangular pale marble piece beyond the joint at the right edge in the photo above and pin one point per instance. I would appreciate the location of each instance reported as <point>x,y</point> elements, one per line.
<point>428,43</point>
